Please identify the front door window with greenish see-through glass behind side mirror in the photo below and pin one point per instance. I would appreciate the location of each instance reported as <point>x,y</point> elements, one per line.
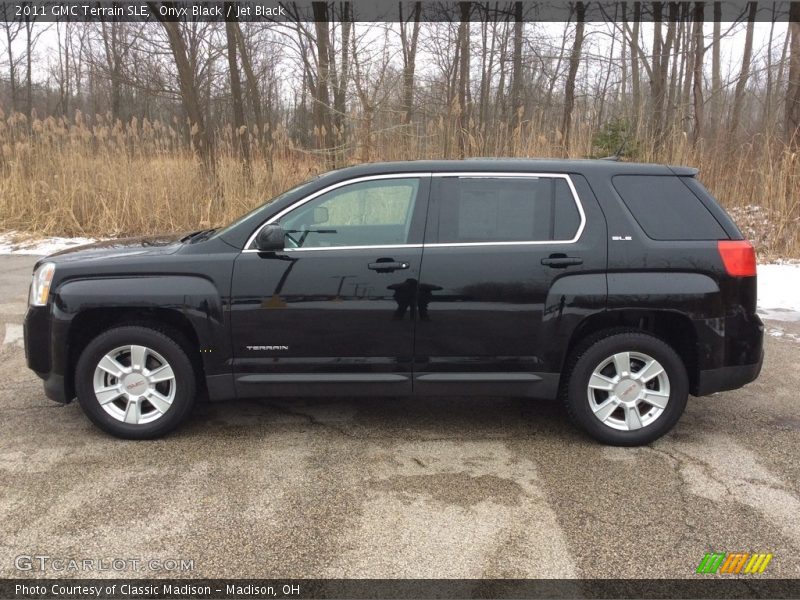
<point>368,213</point>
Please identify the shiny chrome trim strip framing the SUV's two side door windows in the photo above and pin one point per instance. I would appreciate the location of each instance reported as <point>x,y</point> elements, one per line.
<point>460,174</point>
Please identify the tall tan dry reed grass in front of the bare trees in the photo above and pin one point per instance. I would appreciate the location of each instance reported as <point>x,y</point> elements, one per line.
<point>60,177</point>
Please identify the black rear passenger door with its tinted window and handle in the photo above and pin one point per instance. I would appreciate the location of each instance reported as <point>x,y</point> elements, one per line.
<point>511,263</point>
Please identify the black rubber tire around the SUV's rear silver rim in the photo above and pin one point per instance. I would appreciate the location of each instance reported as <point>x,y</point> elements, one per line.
<point>591,354</point>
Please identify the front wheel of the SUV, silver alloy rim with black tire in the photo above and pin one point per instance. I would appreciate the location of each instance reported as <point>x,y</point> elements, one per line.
<point>135,382</point>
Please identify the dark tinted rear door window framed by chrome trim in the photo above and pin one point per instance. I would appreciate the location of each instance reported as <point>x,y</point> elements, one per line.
<point>504,209</point>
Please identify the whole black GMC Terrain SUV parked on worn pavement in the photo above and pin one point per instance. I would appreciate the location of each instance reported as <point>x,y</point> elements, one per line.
<point>620,288</point>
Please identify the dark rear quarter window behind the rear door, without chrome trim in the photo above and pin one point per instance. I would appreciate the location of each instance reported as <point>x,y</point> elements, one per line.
<point>666,208</point>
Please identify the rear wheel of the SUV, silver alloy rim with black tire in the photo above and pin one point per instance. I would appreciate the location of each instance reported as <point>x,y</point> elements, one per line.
<point>626,388</point>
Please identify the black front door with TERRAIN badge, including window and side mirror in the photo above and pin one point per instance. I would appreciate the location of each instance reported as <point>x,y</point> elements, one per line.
<point>335,312</point>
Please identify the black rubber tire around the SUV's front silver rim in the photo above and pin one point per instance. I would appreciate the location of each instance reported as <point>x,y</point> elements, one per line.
<point>163,342</point>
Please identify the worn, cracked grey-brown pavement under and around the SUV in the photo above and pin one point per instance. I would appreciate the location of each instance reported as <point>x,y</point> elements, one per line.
<point>371,489</point>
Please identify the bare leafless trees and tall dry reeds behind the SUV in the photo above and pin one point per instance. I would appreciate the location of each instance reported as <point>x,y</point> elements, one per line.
<point>114,128</point>
